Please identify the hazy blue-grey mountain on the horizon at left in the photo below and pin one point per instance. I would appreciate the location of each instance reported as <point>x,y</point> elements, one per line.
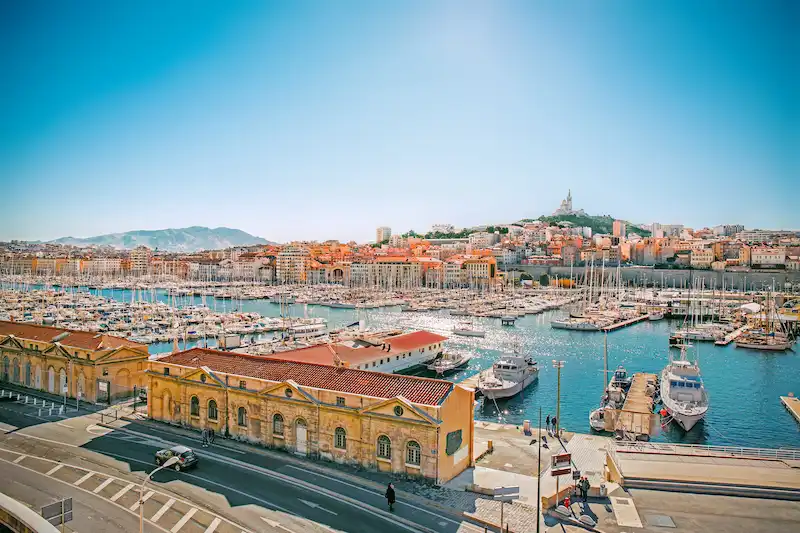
<point>172,240</point>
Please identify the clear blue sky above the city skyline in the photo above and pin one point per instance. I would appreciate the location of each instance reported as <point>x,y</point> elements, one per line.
<point>315,120</point>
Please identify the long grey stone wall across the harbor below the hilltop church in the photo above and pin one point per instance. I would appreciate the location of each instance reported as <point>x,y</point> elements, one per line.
<point>668,277</point>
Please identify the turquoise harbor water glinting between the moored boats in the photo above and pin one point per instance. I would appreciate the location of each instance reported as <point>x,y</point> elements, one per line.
<point>744,385</point>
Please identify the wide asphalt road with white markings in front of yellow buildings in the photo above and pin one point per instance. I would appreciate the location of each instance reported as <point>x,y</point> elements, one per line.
<point>229,491</point>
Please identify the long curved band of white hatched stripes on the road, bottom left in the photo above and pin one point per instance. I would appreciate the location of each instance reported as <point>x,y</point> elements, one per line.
<point>163,510</point>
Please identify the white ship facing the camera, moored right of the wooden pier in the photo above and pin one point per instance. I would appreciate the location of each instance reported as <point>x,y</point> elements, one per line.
<point>682,391</point>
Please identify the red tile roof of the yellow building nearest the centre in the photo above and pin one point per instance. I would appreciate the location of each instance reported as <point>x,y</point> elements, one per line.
<point>376,384</point>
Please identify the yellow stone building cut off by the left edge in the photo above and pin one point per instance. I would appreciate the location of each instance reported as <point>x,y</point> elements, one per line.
<point>102,368</point>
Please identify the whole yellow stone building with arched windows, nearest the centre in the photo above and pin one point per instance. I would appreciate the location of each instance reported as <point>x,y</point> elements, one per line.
<point>406,425</point>
